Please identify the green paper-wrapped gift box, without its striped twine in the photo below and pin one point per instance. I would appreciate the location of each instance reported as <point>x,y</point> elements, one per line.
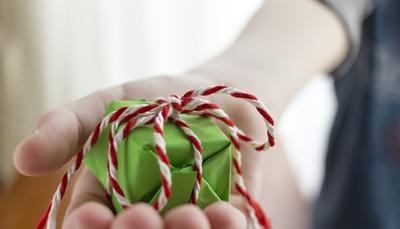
<point>138,171</point>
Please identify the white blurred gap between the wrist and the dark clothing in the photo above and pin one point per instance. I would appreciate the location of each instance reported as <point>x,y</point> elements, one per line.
<point>305,130</point>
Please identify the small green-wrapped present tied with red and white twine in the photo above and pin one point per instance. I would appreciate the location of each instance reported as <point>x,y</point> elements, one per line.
<point>167,153</point>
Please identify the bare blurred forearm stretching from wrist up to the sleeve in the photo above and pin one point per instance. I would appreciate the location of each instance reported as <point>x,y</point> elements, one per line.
<point>281,48</point>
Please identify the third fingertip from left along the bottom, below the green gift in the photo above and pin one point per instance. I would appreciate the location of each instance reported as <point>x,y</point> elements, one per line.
<point>186,217</point>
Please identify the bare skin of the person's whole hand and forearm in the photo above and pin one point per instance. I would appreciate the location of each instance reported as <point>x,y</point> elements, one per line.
<point>284,44</point>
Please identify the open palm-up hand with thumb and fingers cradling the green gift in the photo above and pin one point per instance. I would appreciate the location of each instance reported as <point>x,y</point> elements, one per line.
<point>62,131</point>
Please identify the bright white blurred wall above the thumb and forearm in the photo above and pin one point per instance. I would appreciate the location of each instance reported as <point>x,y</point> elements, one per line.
<point>87,44</point>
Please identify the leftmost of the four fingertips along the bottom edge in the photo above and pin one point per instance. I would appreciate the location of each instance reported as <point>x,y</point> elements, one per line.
<point>91,215</point>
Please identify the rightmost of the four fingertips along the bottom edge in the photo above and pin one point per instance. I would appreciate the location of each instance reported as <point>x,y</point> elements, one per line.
<point>224,215</point>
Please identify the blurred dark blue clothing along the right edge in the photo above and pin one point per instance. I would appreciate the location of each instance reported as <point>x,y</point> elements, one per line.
<point>361,187</point>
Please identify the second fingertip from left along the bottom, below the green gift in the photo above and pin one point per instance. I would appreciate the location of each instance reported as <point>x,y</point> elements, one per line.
<point>141,216</point>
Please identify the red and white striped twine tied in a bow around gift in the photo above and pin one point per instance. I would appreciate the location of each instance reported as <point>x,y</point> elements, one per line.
<point>129,118</point>
